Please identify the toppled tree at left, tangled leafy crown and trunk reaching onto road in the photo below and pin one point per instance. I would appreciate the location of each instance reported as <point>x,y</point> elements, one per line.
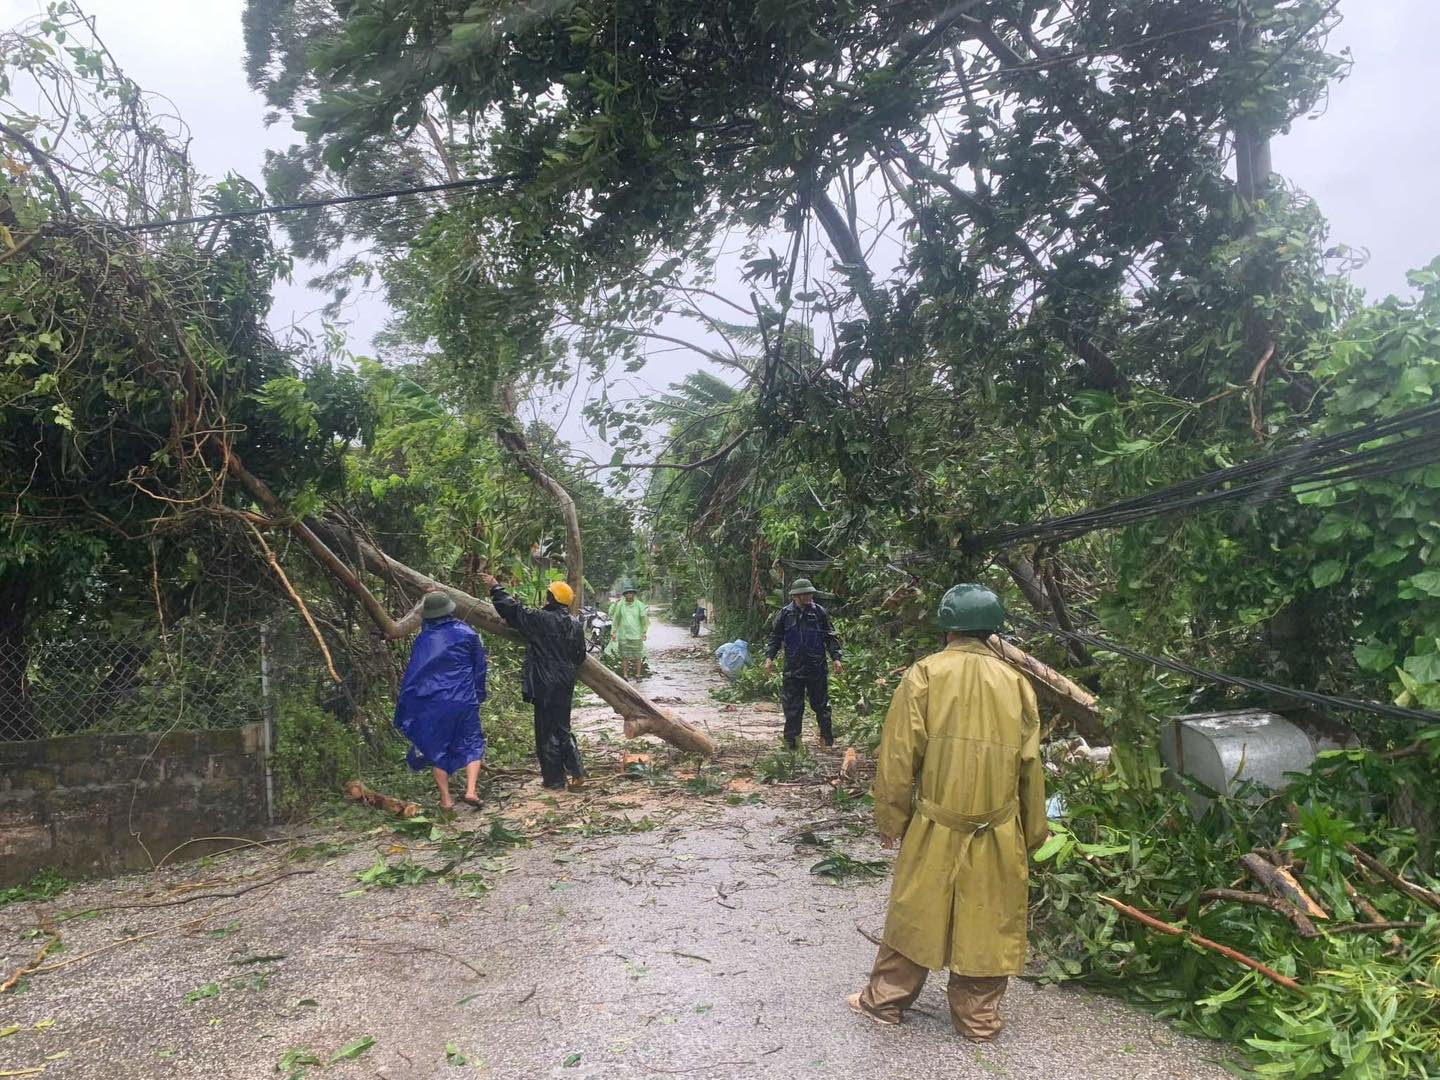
<point>145,404</point>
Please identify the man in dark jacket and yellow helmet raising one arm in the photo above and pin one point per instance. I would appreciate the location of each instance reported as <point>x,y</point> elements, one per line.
<point>555,649</point>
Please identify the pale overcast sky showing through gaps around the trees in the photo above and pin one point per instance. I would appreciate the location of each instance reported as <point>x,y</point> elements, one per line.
<point>1370,159</point>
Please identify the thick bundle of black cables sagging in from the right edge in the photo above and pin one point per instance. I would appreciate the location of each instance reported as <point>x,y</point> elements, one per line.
<point>1412,441</point>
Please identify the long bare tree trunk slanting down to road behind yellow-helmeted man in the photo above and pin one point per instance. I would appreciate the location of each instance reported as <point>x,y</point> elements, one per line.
<point>642,716</point>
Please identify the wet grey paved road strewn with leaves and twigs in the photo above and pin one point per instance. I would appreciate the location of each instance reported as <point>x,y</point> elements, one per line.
<point>647,932</point>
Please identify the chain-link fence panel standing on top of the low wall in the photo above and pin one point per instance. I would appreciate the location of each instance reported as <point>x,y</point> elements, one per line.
<point>195,676</point>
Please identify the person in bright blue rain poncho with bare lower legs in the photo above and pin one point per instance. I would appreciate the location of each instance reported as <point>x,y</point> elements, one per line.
<point>440,699</point>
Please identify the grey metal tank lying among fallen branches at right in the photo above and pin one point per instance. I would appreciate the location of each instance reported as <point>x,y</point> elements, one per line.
<point>1225,750</point>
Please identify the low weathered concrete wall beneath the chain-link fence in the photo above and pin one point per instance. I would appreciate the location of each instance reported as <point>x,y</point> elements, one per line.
<point>73,803</point>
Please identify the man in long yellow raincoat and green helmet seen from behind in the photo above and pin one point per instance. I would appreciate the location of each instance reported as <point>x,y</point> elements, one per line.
<point>961,781</point>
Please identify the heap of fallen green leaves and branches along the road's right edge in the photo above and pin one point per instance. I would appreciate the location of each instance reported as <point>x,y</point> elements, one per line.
<point>1367,1013</point>
